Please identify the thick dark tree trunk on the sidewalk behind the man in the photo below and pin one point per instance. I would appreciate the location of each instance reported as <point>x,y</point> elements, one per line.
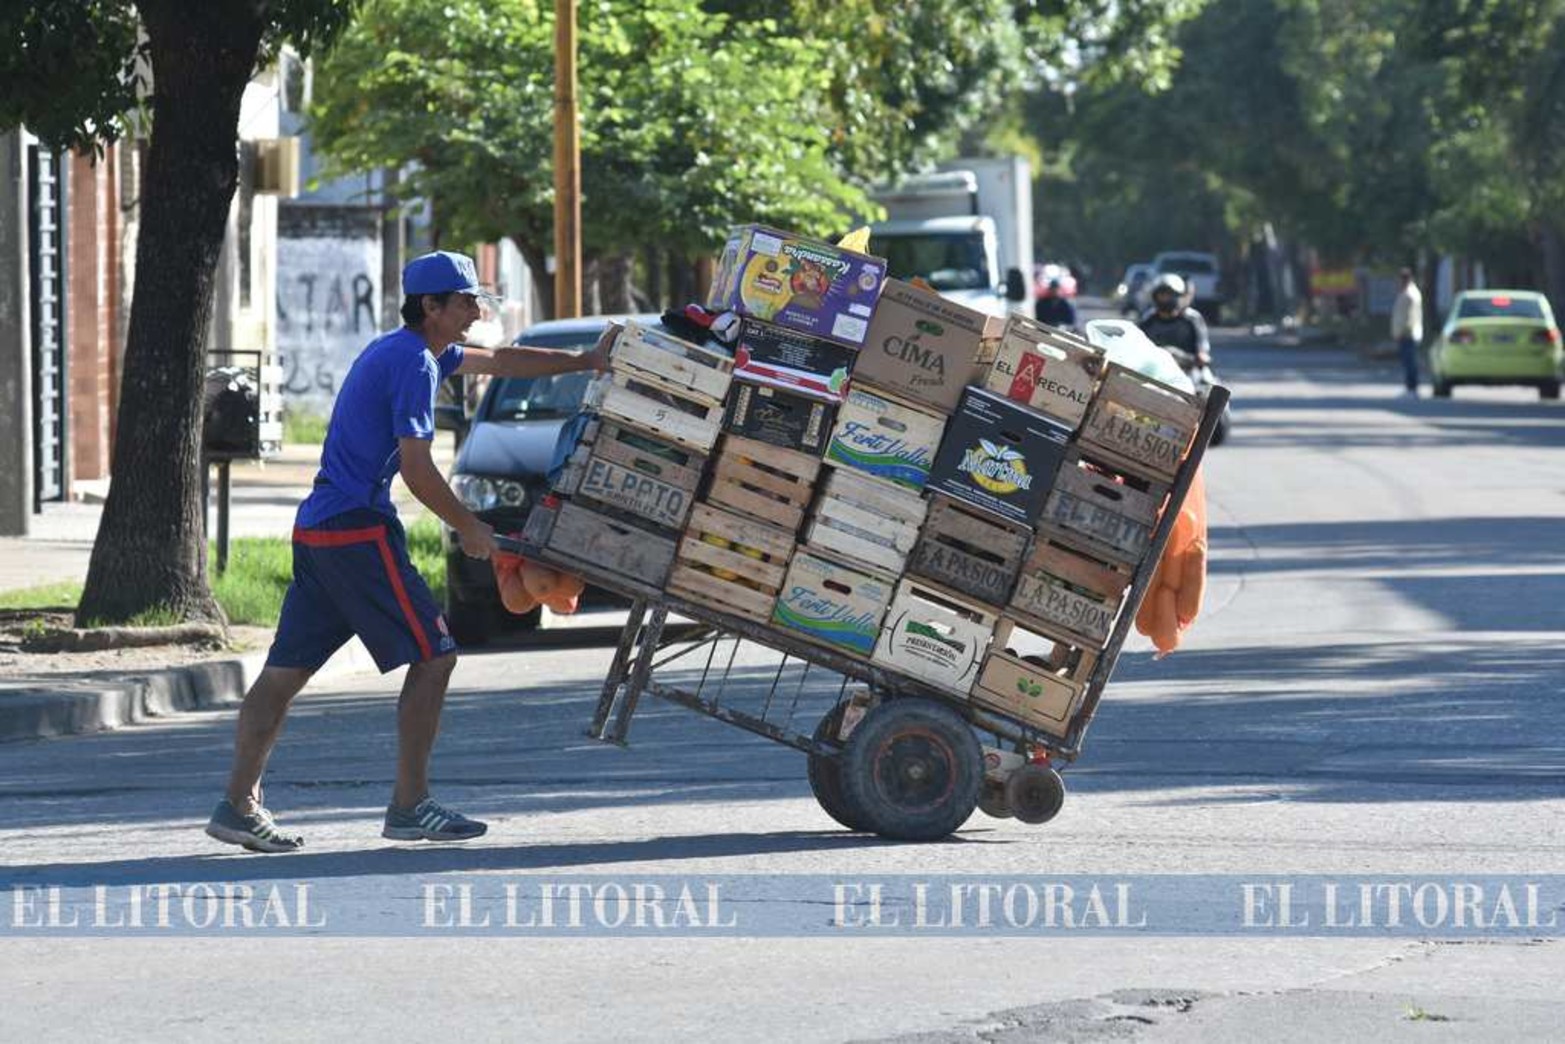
<point>151,550</point>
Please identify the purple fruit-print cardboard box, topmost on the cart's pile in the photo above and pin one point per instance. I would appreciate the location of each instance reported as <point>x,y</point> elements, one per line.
<point>802,284</point>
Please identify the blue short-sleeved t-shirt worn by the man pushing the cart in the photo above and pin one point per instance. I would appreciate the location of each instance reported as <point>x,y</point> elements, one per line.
<point>389,394</point>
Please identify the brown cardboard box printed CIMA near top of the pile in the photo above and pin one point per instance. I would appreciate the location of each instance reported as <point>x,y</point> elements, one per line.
<point>927,348</point>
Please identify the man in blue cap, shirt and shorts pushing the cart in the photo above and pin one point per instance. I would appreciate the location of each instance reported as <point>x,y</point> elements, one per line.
<point>351,571</point>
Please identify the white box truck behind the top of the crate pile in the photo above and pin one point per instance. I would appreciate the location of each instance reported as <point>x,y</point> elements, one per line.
<point>966,229</point>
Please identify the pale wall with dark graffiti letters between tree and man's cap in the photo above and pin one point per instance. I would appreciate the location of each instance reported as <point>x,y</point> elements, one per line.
<point>328,298</point>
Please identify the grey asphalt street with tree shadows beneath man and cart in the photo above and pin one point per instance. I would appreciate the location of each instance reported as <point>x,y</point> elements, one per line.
<point>1373,689</point>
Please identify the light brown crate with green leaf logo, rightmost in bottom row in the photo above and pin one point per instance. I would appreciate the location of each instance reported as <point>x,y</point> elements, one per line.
<point>1043,689</point>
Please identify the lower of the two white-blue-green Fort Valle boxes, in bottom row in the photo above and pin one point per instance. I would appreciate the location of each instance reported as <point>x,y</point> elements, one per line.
<point>833,603</point>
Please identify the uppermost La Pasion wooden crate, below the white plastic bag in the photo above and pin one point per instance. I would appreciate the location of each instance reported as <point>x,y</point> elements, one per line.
<point>1140,423</point>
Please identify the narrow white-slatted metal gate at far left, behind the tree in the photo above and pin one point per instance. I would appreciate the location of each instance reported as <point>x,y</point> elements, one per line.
<point>48,250</point>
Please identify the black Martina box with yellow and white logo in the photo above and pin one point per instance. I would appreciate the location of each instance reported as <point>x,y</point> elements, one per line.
<point>999,456</point>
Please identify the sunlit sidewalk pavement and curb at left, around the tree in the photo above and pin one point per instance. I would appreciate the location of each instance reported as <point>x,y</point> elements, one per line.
<point>264,500</point>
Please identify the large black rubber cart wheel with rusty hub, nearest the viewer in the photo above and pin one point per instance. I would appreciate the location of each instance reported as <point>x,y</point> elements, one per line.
<point>913,768</point>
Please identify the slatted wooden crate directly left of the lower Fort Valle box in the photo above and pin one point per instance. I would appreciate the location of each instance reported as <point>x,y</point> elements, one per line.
<point>732,563</point>
